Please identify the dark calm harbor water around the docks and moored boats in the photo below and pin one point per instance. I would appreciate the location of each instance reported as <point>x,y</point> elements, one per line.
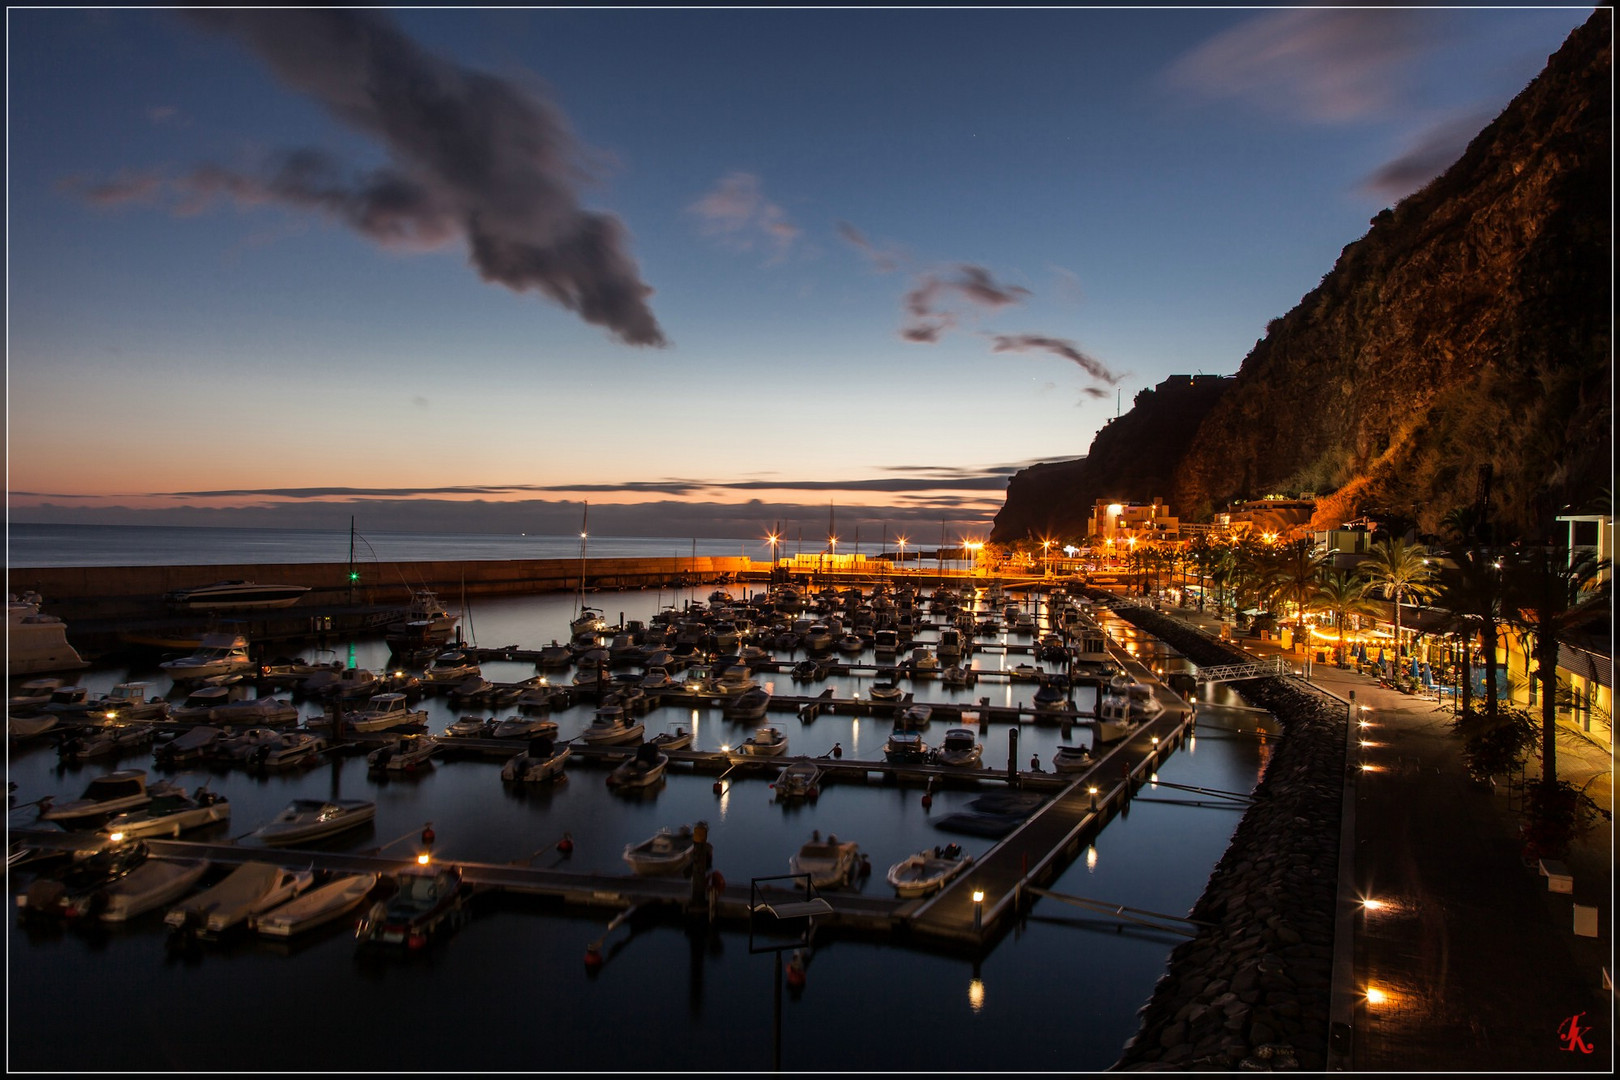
<point>511,992</point>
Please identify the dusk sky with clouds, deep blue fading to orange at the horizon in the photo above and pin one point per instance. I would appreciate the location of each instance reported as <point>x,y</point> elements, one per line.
<point>720,270</point>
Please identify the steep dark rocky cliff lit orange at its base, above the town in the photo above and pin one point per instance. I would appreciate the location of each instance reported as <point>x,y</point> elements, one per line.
<point>1470,328</point>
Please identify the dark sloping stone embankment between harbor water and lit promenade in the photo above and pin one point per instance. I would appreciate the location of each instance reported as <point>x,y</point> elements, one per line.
<point>1253,990</point>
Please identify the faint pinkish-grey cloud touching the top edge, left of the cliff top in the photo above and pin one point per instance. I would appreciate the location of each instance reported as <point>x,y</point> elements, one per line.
<point>1326,66</point>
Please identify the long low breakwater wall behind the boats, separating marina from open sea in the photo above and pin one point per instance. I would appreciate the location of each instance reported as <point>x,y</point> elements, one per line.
<point>129,592</point>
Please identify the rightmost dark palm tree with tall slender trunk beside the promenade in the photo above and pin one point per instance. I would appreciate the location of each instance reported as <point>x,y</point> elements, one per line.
<point>1551,593</point>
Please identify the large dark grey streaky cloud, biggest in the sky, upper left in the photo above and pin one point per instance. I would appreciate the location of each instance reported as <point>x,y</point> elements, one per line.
<point>471,158</point>
